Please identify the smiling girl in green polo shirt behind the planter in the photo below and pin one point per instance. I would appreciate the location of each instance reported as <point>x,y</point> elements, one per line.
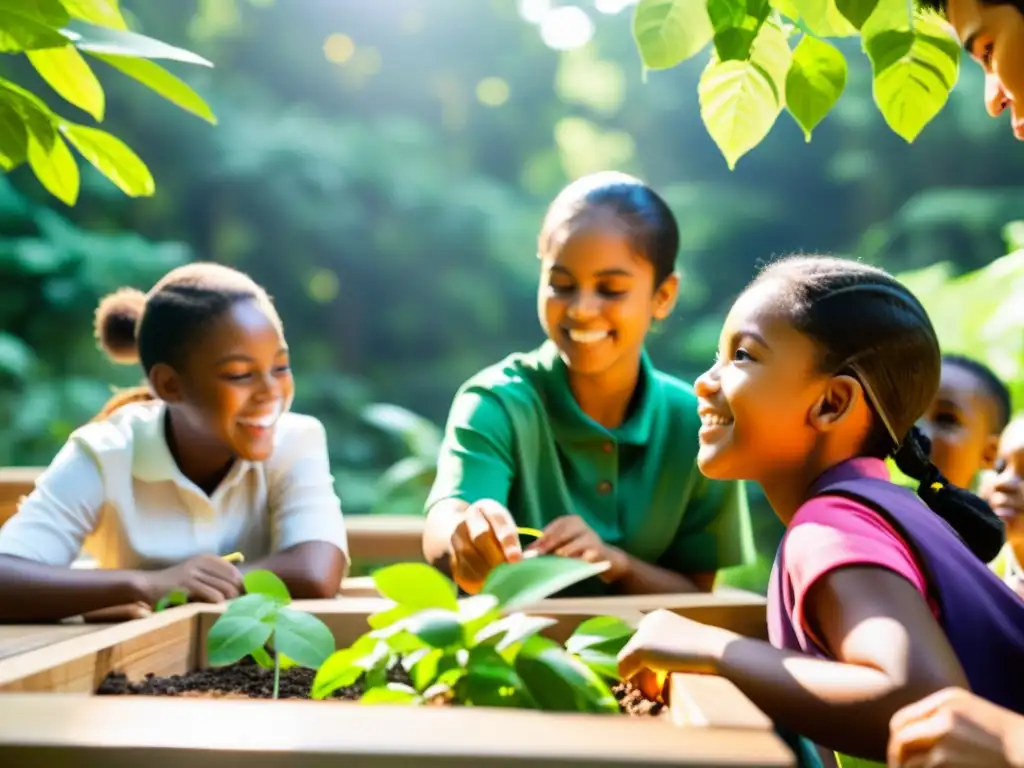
<point>583,440</point>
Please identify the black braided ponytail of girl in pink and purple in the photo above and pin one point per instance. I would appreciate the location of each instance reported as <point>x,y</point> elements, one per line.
<point>969,516</point>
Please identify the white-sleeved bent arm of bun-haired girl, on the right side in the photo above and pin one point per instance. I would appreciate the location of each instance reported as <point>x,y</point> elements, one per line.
<point>310,545</point>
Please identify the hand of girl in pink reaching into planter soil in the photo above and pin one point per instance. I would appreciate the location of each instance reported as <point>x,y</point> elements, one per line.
<point>665,643</point>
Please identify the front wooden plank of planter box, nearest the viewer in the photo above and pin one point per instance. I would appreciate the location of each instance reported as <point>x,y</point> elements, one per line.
<point>202,734</point>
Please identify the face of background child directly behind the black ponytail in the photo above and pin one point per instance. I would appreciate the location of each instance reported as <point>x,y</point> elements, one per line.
<point>960,425</point>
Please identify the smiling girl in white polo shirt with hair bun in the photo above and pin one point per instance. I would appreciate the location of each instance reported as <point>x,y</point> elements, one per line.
<point>205,461</point>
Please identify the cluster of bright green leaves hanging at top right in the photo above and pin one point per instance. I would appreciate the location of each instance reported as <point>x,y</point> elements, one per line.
<point>774,56</point>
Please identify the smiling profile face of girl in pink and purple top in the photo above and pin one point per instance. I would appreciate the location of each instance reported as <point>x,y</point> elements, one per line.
<point>755,402</point>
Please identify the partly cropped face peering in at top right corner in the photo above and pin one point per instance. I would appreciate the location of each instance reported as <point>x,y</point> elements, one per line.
<point>994,36</point>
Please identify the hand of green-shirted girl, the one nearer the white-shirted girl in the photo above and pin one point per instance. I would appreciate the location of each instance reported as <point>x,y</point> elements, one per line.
<point>486,537</point>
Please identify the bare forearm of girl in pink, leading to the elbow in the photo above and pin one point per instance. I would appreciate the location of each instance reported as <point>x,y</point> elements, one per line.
<point>844,707</point>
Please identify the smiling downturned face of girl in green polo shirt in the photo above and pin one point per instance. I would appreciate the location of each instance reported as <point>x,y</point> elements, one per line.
<point>598,300</point>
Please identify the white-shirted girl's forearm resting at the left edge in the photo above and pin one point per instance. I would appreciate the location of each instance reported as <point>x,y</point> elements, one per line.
<point>36,592</point>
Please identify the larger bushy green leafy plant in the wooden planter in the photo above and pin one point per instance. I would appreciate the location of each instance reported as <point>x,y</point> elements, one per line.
<point>478,651</point>
